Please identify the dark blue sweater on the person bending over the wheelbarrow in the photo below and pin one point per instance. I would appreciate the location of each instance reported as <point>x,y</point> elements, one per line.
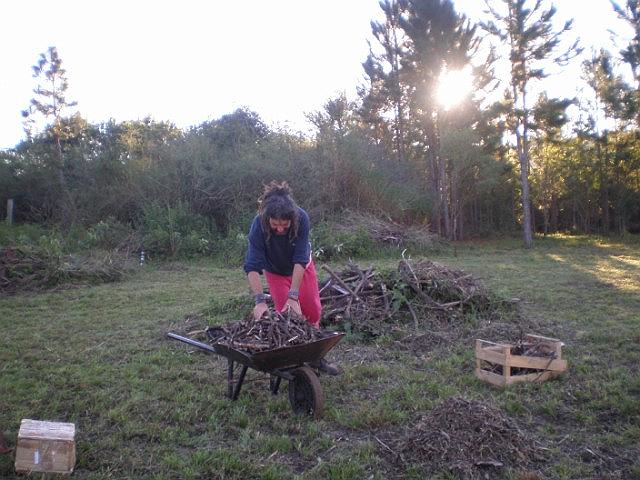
<point>280,254</point>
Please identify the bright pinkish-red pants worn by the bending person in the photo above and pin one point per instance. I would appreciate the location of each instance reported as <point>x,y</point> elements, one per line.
<point>309,295</point>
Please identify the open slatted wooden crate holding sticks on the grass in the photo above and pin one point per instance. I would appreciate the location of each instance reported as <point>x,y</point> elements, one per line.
<point>492,356</point>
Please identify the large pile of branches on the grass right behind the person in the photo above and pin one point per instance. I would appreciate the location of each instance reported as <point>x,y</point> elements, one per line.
<point>367,299</point>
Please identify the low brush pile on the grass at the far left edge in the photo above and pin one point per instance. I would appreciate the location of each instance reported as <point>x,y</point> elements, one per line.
<point>32,269</point>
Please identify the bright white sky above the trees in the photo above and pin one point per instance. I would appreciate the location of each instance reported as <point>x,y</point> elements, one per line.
<point>193,61</point>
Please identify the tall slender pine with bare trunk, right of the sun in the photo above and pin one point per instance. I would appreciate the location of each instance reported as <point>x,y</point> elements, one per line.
<point>533,44</point>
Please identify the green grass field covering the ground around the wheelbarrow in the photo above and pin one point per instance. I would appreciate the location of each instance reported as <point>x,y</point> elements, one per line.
<point>149,407</point>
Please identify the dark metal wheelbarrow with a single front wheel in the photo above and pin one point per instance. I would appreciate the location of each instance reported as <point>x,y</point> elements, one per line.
<point>290,363</point>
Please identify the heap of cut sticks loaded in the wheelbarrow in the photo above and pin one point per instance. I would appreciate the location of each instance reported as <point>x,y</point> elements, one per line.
<point>273,330</point>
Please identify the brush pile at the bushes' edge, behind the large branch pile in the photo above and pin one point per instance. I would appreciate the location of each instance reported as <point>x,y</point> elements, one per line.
<point>387,232</point>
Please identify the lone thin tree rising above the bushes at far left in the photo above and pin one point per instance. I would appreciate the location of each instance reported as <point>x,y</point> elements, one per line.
<point>50,104</point>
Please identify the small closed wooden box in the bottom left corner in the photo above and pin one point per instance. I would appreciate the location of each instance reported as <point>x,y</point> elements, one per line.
<point>45,447</point>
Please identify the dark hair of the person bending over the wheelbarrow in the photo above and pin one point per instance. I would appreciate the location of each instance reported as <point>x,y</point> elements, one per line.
<point>277,202</point>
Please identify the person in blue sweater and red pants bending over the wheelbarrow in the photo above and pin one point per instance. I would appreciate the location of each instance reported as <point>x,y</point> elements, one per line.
<point>279,248</point>
